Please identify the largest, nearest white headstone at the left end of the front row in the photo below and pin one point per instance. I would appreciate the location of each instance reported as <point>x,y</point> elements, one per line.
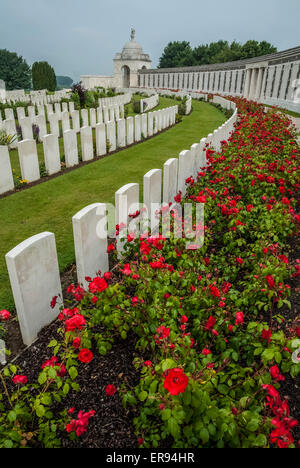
<point>34,277</point>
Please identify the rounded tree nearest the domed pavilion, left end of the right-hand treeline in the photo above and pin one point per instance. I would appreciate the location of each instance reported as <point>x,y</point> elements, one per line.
<point>176,54</point>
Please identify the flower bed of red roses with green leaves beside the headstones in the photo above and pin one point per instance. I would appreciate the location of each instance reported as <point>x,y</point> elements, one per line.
<point>214,335</point>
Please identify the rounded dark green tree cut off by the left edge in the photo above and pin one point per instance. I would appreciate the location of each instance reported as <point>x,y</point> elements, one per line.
<point>14,70</point>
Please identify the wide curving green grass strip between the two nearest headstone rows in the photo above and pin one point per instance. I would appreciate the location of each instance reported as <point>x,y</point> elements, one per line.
<point>51,205</point>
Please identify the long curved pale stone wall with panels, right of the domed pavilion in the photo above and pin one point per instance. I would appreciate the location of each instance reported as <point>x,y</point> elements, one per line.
<point>271,79</point>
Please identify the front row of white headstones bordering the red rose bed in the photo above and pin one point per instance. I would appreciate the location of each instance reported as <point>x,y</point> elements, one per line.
<point>33,264</point>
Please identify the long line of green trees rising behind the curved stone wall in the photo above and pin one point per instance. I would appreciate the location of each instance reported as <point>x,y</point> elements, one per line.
<point>180,54</point>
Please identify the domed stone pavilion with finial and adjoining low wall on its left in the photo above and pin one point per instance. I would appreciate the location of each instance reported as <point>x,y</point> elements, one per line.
<point>126,67</point>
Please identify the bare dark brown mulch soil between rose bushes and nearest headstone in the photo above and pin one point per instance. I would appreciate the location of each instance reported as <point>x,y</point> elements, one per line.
<point>112,426</point>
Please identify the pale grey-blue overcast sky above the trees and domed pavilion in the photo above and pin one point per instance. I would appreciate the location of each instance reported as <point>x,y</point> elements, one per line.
<point>80,37</point>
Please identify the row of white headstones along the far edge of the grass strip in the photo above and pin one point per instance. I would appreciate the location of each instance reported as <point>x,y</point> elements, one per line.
<point>110,136</point>
